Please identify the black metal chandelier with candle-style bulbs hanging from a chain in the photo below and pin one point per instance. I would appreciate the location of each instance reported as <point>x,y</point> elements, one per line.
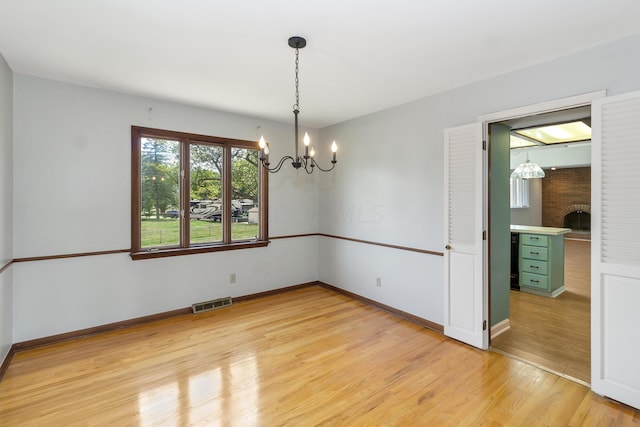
<point>307,160</point>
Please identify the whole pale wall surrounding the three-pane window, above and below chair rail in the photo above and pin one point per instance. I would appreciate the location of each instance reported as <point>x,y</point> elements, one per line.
<point>72,194</point>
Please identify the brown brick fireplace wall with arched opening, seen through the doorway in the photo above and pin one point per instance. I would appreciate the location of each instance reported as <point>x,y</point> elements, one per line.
<point>567,193</point>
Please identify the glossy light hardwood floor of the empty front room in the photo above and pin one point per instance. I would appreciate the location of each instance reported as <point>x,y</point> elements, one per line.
<point>303,358</point>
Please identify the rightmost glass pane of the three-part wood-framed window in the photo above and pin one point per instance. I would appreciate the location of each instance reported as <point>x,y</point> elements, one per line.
<point>244,189</point>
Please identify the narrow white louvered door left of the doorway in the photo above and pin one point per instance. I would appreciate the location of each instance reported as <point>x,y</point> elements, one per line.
<point>464,309</point>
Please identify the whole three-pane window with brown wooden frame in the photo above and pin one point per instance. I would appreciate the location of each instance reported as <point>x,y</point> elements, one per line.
<point>194,193</point>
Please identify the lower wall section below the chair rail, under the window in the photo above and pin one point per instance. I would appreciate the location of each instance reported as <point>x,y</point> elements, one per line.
<point>89,291</point>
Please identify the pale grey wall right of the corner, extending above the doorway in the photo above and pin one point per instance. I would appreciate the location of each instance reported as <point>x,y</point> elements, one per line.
<point>391,171</point>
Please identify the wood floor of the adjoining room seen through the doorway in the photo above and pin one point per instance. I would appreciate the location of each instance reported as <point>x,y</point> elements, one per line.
<point>555,332</point>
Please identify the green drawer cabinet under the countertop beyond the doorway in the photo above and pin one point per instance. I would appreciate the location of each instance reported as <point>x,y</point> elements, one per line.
<point>542,264</point>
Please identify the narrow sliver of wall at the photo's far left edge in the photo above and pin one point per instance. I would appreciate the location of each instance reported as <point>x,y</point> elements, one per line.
<point>6,200</point>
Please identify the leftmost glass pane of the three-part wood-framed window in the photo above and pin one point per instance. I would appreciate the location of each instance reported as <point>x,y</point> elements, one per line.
<point>160,183</point>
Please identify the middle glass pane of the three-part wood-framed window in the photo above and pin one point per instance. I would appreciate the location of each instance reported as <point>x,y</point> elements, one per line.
<point>206,193</point>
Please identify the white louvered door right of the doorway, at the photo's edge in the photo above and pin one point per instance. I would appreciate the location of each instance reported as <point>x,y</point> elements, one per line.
<point>615,264</point>
